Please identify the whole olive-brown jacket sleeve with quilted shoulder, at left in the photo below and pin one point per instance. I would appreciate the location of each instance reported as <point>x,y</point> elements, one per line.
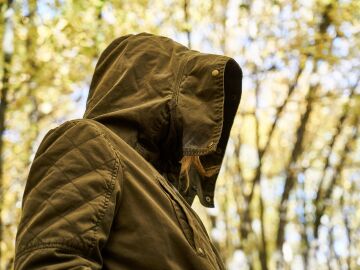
<point>71,196</point>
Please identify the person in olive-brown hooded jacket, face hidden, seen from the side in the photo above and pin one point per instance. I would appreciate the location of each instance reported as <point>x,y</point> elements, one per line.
<point>114,189</point>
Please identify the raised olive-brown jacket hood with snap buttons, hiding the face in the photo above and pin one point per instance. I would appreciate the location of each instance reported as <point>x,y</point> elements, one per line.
<point>167,101</point>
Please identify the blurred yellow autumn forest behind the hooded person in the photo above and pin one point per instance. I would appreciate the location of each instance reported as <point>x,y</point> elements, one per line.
<point>288,196</point>
